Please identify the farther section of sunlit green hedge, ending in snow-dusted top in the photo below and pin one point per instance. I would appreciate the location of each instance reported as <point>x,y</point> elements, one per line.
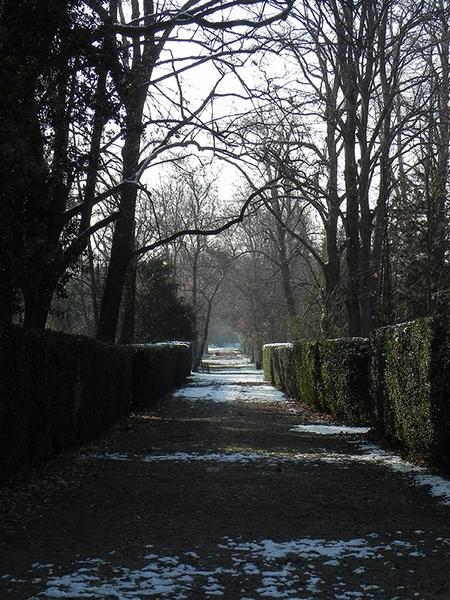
<point>330,375</point>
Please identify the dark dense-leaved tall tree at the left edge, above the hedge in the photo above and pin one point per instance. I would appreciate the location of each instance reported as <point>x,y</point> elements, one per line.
<point>50,65</point>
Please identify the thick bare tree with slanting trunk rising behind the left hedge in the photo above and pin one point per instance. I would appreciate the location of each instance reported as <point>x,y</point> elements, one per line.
<point>139,43</point>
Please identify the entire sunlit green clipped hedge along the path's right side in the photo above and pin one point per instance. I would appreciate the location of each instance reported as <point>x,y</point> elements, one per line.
<point>397,381</point>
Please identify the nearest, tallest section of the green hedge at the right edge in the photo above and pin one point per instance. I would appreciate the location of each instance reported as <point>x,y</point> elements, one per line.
<point>410,386</point>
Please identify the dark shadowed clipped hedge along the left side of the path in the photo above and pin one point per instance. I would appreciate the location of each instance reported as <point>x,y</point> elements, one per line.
<point>58,391</point>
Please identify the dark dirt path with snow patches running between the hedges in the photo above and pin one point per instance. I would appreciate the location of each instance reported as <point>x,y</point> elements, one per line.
<point>217,492</point>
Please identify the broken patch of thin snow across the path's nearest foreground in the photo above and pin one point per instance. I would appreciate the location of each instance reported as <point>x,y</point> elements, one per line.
<point>300,569</point>
